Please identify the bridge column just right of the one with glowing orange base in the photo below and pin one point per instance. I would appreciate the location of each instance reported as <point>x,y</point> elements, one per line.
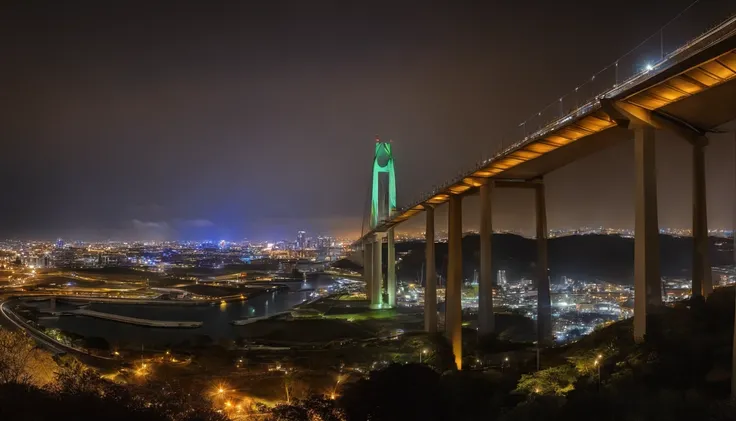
<point>486,323</point>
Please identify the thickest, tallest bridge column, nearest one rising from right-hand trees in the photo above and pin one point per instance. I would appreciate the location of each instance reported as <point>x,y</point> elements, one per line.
<point>647,281</point>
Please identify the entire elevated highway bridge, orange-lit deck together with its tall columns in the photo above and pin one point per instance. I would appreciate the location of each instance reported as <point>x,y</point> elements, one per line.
<point>689,92</point>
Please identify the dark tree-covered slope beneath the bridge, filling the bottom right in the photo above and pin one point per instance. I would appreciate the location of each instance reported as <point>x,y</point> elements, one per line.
<point>681,372</point>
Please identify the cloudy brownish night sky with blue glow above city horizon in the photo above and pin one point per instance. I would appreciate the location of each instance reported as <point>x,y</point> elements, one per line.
<point>257,118</point>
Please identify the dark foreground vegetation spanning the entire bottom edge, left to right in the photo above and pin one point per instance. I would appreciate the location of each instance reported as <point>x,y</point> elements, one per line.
<point>681,372</point>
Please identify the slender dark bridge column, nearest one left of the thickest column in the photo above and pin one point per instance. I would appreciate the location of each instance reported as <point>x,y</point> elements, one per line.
<point>544,305</point>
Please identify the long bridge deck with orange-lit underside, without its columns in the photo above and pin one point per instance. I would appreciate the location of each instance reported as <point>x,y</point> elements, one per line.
<point>696,84</point>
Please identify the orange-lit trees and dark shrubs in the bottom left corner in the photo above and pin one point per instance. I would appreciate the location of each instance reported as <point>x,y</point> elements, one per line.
<point>75,392</point>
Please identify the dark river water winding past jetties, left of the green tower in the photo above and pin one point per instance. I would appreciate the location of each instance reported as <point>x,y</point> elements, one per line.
<point>216,318</point>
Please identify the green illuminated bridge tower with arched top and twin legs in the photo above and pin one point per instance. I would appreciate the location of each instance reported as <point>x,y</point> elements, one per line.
<point>383,207</point>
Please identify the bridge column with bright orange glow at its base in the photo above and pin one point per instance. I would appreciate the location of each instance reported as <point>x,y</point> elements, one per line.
<point>453,318</point>
